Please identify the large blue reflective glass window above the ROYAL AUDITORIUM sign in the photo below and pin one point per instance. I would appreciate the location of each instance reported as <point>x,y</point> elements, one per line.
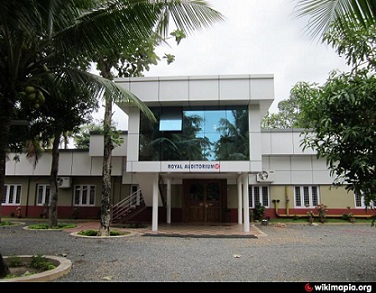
<point>199,134</point>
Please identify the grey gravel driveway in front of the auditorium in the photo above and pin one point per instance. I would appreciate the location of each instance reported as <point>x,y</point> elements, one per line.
<point>294,253</point>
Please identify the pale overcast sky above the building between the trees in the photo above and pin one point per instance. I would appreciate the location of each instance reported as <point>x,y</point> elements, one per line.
<point>257,37</point>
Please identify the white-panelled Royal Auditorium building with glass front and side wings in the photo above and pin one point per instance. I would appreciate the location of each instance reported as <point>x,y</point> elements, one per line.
<point>206,160</point>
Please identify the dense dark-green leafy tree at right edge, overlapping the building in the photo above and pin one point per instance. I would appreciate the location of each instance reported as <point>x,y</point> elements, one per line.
<point>343,116</point>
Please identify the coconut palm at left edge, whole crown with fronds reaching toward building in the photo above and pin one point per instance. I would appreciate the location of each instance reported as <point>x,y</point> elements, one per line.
<point>41,39</point>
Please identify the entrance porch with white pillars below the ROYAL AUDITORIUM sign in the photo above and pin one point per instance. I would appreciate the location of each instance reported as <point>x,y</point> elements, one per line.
<point>204,198</point>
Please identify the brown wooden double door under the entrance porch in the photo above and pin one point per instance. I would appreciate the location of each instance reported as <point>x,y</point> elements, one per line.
<point>204,200</point>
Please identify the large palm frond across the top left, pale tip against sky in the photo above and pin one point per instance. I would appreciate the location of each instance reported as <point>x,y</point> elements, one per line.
<point>127,20</point>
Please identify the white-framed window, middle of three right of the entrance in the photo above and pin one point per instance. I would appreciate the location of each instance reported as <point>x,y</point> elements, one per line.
<point>306,196</point>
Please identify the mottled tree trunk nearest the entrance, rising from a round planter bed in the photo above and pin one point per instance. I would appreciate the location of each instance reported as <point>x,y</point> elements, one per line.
<point>104,229</point>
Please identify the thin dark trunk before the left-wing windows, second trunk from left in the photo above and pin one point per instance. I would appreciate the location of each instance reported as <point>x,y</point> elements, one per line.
<point>52,211</point>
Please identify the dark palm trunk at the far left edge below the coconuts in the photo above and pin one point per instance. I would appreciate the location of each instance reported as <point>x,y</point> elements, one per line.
<point>5,122</point>
